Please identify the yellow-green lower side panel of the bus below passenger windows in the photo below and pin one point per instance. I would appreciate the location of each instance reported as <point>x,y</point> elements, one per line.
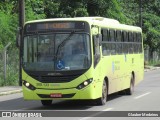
<point>118,69</point>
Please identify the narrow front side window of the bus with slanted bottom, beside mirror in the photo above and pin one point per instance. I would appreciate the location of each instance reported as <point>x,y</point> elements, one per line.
<point>96,50</point>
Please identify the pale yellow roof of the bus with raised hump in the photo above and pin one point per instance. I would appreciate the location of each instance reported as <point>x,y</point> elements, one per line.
<point>99,21</point>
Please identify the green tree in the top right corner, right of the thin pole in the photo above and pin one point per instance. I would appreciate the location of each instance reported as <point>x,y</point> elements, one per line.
<point>151,24</point>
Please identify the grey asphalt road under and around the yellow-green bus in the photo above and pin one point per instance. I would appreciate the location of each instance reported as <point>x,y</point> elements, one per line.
<point>145,98</point>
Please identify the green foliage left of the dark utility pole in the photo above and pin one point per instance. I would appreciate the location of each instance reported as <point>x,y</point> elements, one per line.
<point>8,23</point>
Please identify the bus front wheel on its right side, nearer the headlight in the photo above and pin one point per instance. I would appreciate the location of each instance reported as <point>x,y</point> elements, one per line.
<point>102,100</point>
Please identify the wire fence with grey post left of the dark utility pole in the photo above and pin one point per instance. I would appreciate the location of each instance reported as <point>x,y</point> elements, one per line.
<point>9,67</point>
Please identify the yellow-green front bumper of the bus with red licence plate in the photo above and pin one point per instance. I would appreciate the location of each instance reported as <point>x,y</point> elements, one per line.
<point>66,94</point>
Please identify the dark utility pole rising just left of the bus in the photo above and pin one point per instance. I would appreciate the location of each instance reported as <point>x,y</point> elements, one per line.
<point>21,24</point>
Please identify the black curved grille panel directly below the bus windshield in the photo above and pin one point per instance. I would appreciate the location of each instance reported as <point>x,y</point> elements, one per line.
<point>55,79</point>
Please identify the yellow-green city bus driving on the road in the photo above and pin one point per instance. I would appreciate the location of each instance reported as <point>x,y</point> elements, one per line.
<point>82,58</point>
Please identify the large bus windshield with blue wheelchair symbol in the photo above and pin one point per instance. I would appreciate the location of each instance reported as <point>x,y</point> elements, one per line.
<point>56,52</point>
